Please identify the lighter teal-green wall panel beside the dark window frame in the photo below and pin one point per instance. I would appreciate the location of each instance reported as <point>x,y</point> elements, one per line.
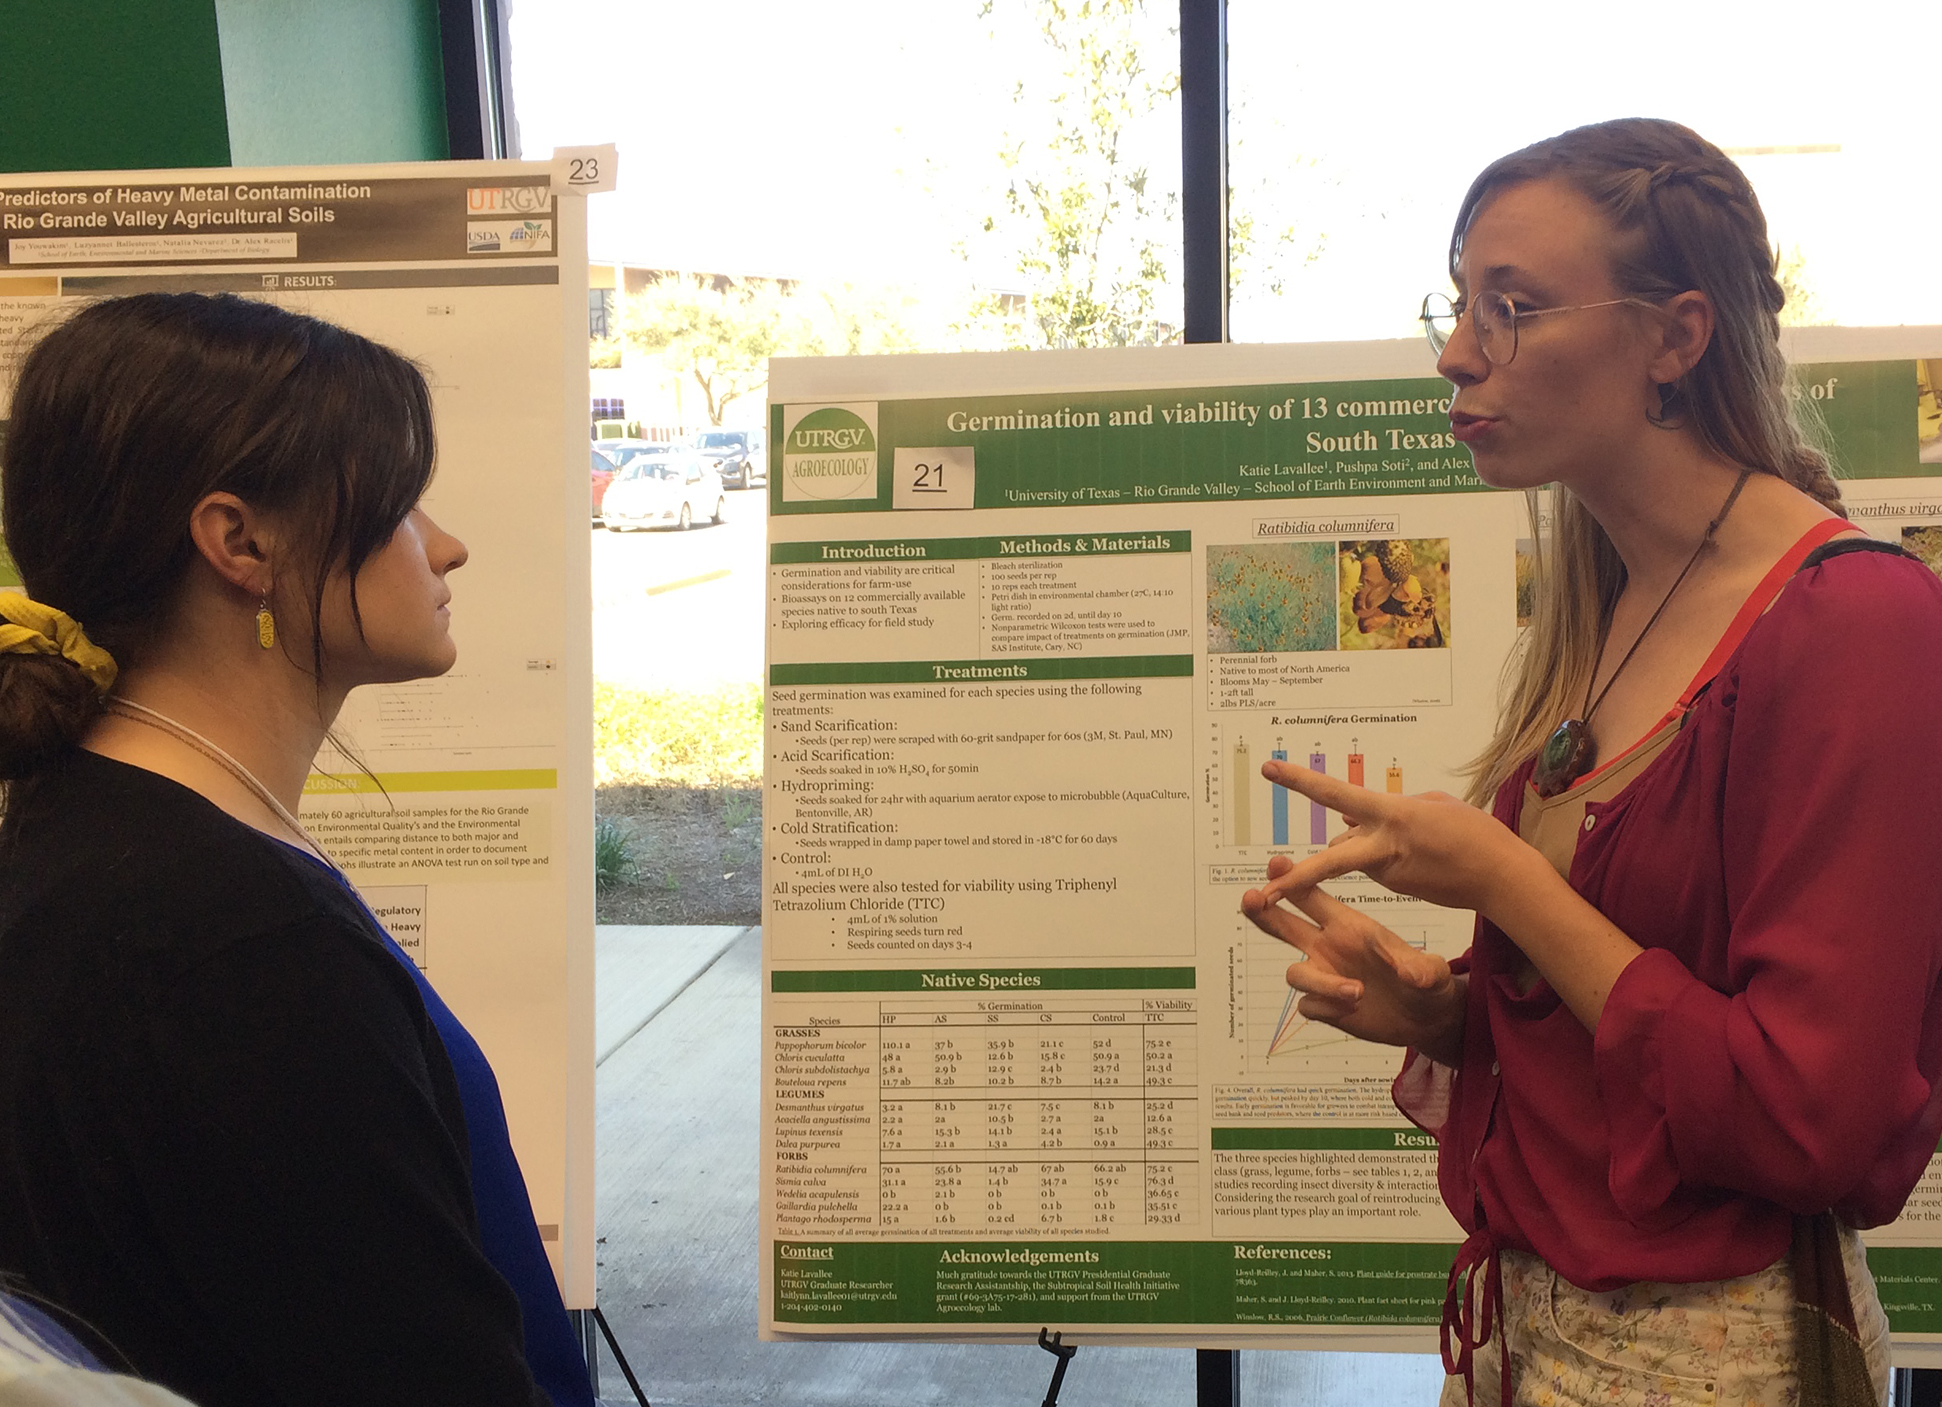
<point>333,81</point>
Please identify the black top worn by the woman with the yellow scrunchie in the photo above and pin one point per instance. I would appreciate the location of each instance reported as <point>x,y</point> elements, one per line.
<point>230,1136</point>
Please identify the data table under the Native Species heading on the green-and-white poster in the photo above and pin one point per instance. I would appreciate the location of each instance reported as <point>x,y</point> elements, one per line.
<point>1046,1115</point>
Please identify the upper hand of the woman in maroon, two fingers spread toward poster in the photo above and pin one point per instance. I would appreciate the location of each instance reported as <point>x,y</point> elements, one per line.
<point>1428,847</point>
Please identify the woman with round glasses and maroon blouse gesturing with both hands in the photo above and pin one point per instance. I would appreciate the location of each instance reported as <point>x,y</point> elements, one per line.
<point>1696,1041</point>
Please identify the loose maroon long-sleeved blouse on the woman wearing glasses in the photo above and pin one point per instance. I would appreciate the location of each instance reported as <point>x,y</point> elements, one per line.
<point>1776,1049</point>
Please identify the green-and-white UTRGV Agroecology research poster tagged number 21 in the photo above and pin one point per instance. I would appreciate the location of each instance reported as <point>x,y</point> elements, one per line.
<point>1036,620</point>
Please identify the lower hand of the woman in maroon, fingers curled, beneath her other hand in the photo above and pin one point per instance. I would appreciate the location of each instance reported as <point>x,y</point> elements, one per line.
<point>1356,975</point>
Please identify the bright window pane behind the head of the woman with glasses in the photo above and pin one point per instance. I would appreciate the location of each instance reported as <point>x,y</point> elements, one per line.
<point>1355,133</point>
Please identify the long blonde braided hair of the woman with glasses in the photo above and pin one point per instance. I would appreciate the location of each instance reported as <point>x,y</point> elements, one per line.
<point>1685,218</point>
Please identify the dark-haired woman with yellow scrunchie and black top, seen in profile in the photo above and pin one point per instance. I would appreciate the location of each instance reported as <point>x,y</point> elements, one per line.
<point>240,1136</point>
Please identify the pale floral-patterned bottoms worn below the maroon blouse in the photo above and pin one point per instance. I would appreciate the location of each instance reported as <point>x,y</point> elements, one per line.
<point>1727,1344</point>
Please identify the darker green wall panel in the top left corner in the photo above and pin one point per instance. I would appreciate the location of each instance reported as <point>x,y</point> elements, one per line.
<point>112,84</point>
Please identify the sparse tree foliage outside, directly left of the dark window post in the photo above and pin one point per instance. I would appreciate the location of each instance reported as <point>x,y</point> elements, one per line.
<point>1085,222</point>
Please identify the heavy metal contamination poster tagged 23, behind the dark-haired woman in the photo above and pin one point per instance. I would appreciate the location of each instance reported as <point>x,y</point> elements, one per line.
<point>465,818</point>
